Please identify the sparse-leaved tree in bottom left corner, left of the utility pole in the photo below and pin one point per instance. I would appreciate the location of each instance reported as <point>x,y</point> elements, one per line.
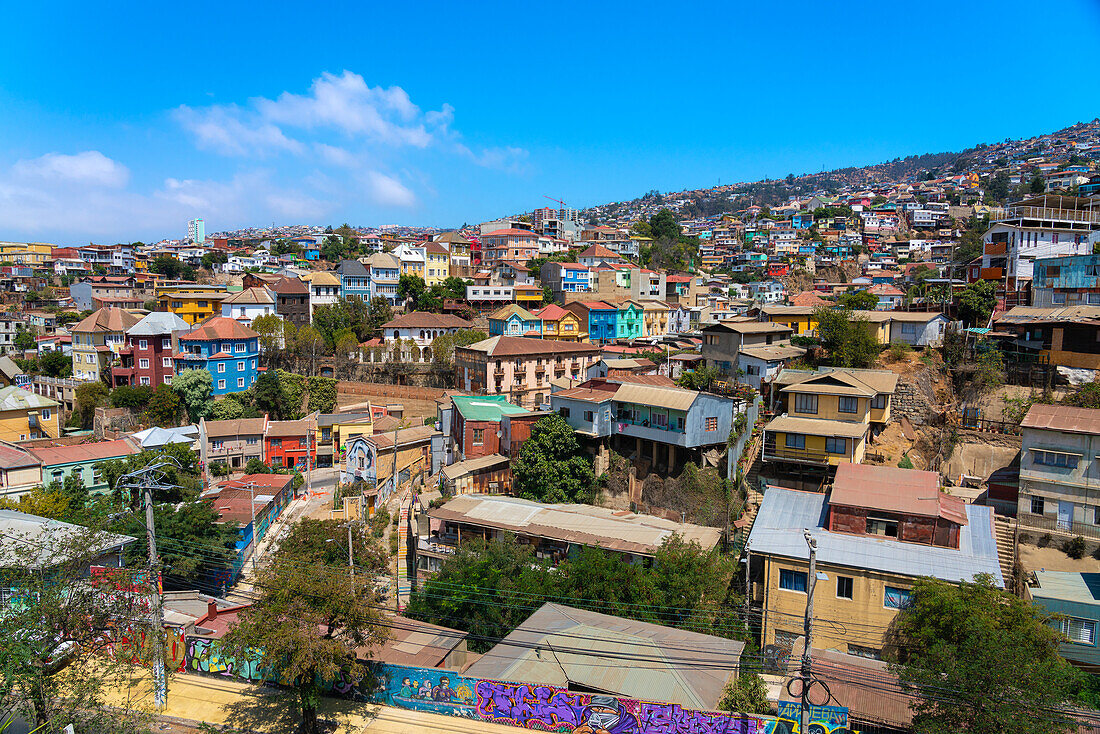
<point>61,652</point>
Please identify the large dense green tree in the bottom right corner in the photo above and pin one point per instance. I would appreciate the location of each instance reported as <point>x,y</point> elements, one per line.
<point>981,661</point>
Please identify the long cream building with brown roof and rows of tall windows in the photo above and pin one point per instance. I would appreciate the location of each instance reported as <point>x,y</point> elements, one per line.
<point>521,368</point>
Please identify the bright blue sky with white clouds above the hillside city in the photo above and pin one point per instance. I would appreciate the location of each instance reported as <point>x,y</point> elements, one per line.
<point>122,122</point>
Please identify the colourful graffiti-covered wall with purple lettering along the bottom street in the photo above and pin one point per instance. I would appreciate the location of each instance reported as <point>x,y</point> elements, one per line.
<point>538,708</point>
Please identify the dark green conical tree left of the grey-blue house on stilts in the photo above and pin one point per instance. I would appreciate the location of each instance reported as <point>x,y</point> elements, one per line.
<point>552,467</point>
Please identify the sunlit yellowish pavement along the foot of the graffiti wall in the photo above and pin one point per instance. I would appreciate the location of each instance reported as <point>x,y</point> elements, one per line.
<point>250,708</point>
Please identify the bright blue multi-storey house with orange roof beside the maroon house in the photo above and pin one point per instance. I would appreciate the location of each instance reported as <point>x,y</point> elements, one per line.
<point>227,349</point>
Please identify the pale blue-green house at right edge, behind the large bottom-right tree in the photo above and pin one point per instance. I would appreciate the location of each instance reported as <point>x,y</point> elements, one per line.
<point>1075,599</point>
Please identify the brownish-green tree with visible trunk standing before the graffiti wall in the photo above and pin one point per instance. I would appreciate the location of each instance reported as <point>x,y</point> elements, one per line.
<point>306,628</point>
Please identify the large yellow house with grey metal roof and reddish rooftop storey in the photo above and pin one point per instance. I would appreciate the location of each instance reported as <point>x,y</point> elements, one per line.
<point>877,530</point>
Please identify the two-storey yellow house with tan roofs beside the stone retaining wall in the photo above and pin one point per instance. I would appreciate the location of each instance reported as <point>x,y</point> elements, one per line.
<point>828,417</point>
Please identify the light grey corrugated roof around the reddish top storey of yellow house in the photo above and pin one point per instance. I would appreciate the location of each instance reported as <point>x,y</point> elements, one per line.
<point>786,514</point>
